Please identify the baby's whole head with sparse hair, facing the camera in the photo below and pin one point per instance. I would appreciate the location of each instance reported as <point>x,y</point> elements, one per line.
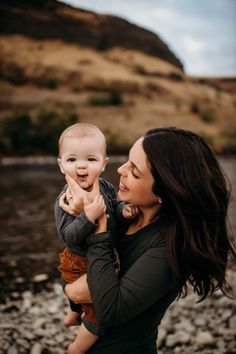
<point>82,153</point>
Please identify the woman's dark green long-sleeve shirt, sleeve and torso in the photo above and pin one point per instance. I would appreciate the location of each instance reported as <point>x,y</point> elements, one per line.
<point>132,303</point>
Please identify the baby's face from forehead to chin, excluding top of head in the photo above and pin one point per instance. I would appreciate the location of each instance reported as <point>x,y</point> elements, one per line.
<point>83,159</point>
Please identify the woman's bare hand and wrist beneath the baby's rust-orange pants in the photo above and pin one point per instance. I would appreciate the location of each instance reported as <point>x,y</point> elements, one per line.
<point>78,291</point>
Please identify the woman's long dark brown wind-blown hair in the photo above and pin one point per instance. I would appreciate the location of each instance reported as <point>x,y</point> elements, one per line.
<point>195,200</point>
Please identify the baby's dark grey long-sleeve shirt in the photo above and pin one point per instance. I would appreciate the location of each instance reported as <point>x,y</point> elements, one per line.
<point>74,230</point>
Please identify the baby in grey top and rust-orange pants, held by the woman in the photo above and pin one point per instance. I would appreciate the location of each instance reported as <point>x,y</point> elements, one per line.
<point>82,155</point>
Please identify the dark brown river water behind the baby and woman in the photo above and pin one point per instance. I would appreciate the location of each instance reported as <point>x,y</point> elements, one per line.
<point>29,242</point>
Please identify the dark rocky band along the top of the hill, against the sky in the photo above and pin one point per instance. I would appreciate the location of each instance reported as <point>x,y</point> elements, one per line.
<point>50,19</point>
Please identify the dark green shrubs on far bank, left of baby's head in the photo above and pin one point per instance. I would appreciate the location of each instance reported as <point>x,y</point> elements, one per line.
<point>26,135</point>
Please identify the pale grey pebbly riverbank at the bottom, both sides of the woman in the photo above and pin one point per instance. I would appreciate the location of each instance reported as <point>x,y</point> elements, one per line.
<point>32,323</point>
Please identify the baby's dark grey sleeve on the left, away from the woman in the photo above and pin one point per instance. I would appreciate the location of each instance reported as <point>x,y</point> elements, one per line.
<point>72,230</point>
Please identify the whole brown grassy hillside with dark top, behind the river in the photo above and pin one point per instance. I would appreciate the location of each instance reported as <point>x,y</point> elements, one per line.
<point>123,88</point>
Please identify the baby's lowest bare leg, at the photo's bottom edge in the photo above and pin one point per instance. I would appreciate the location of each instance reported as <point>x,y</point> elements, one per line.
<point>83,341</point>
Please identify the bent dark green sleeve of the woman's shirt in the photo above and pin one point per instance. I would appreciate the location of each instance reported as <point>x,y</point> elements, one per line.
<point>117,300</point>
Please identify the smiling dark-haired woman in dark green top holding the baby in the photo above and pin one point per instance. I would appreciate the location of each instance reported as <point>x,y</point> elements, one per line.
<point>179,238</point>
